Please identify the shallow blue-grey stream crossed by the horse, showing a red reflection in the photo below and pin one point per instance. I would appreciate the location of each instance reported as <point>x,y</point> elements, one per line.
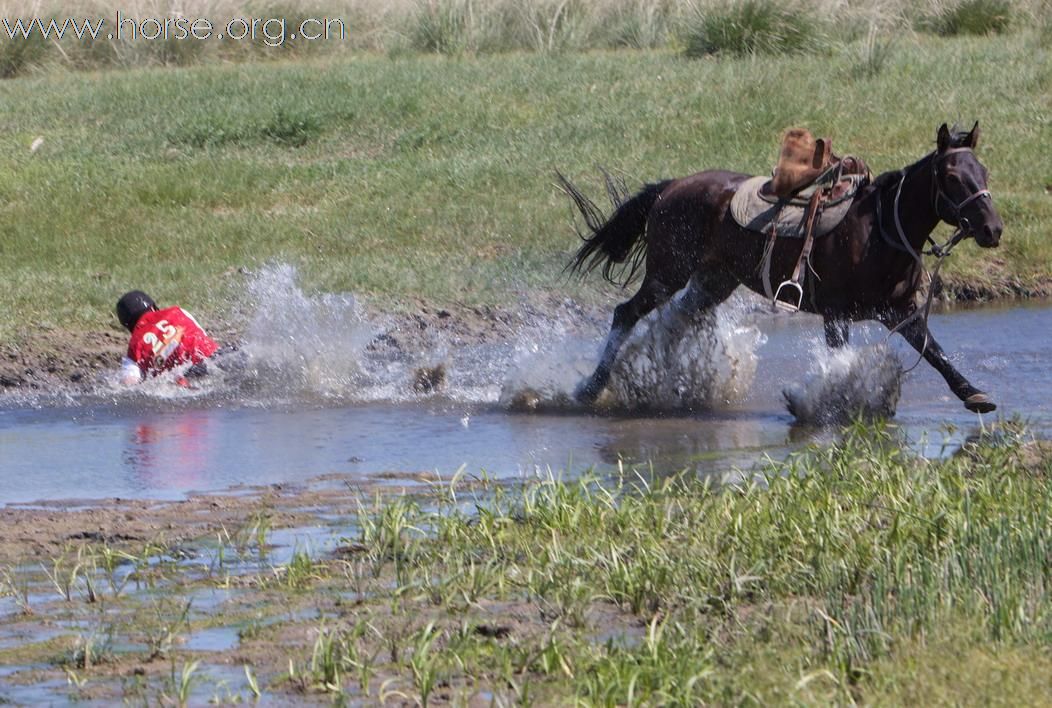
<point>362,419</point>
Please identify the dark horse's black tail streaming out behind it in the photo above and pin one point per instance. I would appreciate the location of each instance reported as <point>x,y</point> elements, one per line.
<point>618,239</point>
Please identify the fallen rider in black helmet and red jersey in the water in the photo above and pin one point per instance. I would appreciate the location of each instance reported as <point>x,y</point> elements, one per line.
<point>163,340</point>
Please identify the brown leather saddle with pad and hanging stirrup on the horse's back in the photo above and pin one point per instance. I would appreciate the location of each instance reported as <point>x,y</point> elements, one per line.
<point>808,195</point>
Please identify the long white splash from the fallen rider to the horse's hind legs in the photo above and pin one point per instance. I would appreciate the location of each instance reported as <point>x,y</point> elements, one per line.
<point>298,347</point>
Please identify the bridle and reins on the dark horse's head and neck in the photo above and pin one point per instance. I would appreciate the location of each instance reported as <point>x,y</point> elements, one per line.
<point>940,252</point>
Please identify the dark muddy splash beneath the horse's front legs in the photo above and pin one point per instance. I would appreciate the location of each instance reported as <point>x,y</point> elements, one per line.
<point>847,383</point>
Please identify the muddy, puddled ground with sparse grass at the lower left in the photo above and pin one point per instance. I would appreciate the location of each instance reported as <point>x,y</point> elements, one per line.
<point>269,588</point>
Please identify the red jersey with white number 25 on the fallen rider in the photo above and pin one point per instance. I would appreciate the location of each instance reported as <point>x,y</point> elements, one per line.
<point>169,338</point>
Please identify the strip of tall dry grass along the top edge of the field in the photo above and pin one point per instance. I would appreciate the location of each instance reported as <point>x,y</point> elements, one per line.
<point>699,28</point>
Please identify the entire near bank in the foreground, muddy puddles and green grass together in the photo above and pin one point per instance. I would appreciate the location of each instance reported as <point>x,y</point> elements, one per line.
<point>854,573</point>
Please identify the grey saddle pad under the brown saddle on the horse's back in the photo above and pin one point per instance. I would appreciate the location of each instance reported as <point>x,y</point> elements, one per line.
<point>756,212</point>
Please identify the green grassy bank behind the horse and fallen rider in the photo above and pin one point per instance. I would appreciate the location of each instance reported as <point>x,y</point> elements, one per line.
<point>411,175</point>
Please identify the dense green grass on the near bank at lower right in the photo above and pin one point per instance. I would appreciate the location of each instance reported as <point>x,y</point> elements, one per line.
<point>804,588</point>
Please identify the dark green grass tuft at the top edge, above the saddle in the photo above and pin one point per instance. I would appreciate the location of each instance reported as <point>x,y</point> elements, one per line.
<point>754,27</point>
